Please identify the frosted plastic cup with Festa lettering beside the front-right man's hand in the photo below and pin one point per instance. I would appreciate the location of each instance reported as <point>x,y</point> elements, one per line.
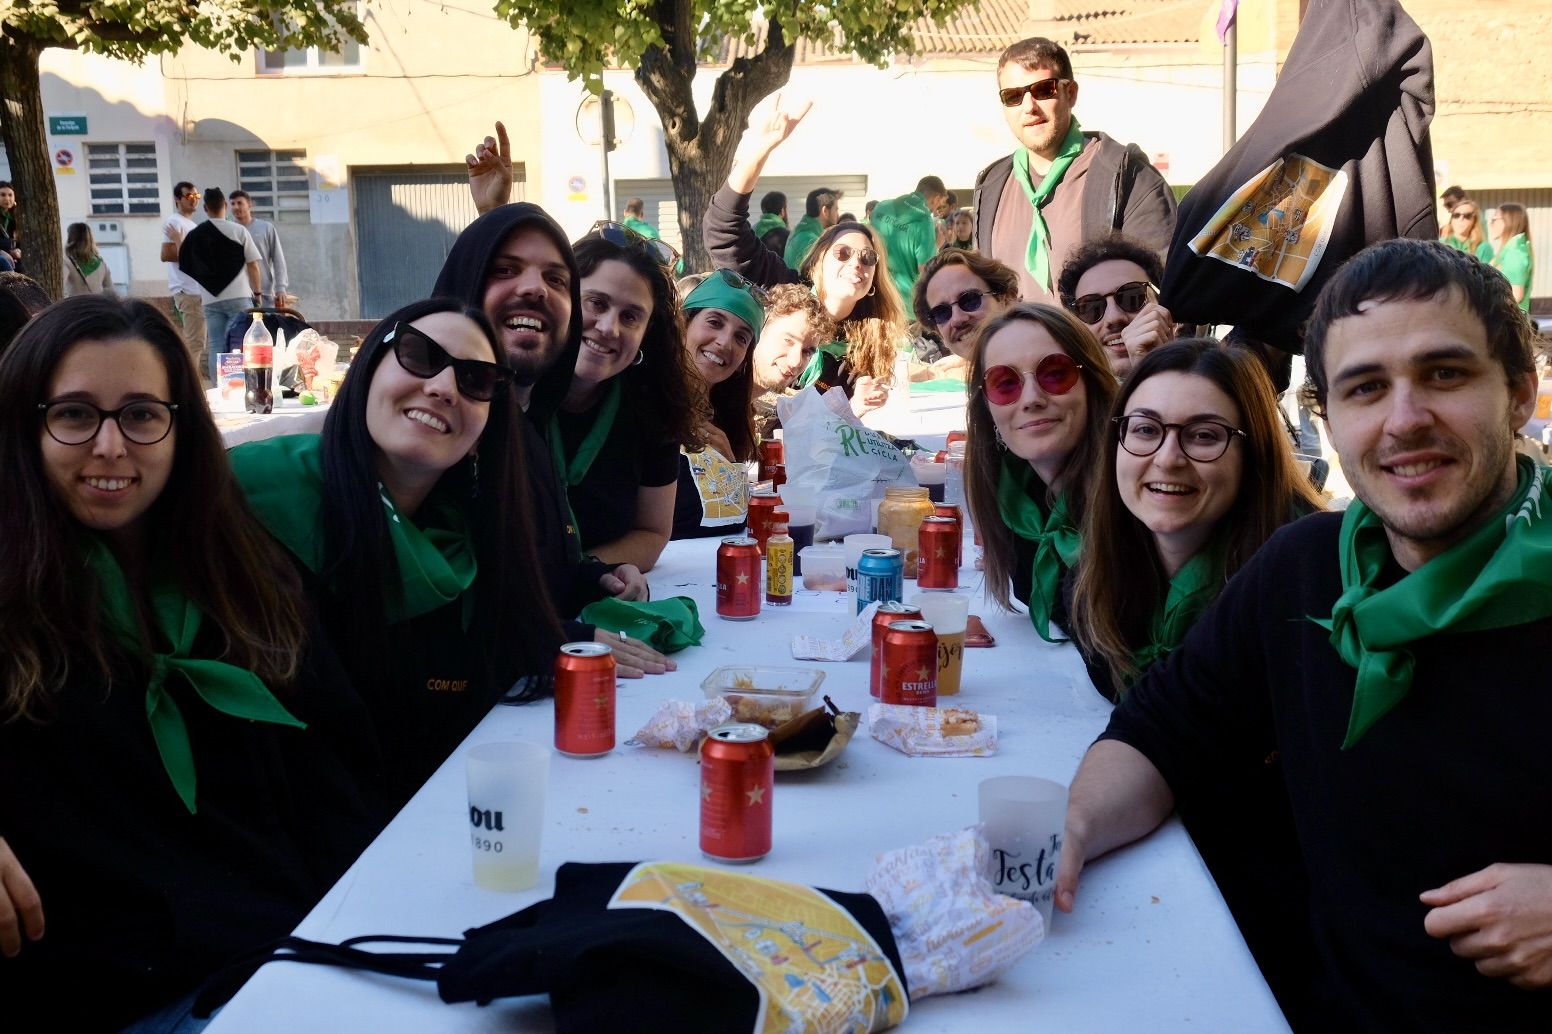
<point>1022,819</point>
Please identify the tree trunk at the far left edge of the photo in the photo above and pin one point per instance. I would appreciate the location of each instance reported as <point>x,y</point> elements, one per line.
<point>32,167</point>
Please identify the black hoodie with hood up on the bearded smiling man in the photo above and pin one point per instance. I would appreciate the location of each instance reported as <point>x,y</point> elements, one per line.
<point>572,581</point>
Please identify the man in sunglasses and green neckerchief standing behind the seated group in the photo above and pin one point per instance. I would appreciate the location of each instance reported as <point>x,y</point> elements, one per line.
<point>1062,186</point>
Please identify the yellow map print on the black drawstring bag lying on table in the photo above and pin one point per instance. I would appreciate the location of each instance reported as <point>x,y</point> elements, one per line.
<point>816,968</point>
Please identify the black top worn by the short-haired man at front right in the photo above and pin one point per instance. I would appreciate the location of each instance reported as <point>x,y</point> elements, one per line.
<point>1455,779</point>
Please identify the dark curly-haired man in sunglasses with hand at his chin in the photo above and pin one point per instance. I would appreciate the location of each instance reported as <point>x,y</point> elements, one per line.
<point>1112,288</point>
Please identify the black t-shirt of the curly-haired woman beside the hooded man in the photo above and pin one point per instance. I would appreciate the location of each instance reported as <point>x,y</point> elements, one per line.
<point>631,459</point>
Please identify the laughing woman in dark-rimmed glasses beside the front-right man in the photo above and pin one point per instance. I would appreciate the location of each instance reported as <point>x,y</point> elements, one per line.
<point>1194,476</point>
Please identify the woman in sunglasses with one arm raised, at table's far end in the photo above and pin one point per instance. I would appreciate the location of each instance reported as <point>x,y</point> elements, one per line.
<point>845,266</point>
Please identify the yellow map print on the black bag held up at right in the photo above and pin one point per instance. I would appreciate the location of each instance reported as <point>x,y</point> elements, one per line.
<point>1280,223</point>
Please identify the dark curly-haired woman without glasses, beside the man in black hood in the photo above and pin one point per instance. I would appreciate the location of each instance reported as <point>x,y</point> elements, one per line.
<point>634,401</point>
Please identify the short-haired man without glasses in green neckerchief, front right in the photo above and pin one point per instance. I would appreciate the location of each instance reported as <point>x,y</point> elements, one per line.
<point>1391,661</point>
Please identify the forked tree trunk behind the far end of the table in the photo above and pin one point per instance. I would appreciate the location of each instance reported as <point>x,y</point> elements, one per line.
<point>701,151</point>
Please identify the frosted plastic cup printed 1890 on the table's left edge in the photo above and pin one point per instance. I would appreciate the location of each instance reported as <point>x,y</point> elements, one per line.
<point>507,813</point>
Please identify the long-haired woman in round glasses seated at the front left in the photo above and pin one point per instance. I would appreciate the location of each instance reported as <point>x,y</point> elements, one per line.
<point>168,726</point>
